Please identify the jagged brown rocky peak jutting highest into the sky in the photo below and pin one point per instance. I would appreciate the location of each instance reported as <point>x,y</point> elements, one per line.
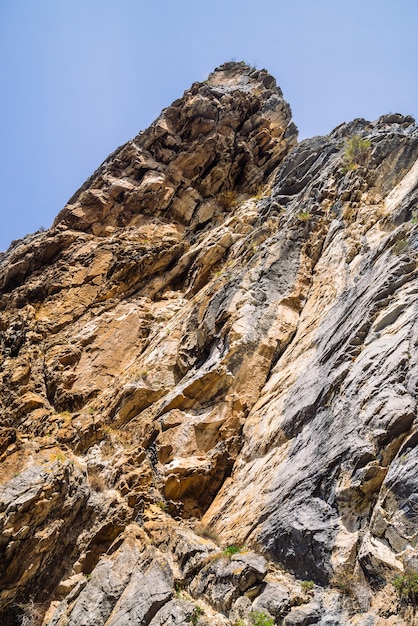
<point>230,131</point>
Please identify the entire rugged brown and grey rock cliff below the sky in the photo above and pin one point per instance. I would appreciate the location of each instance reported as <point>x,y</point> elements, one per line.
<point>209,377</point>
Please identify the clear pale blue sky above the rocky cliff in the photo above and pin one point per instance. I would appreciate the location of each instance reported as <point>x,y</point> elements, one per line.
<point>81,77</point>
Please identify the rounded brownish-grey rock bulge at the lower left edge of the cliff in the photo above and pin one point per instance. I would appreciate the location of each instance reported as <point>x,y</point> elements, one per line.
<point>40,511</point>
